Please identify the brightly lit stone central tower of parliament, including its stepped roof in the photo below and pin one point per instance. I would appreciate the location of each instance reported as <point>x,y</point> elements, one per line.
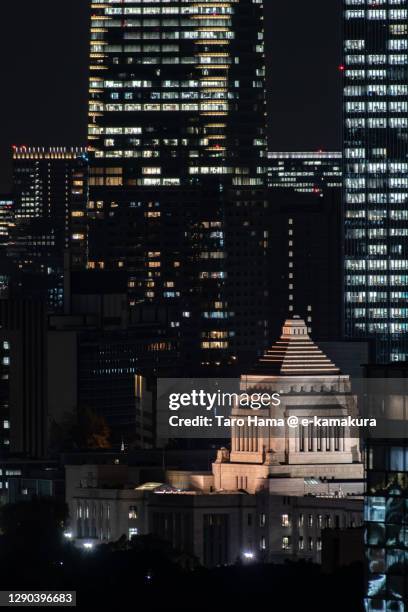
<point>285,459</point>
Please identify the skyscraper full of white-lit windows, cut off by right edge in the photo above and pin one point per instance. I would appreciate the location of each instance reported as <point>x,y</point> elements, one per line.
<point>375,174</point>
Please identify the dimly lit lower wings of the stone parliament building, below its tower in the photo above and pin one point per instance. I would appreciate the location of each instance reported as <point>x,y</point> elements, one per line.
<point>107,503</point>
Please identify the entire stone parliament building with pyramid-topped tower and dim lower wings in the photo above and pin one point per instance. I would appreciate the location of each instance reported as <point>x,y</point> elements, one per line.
<point>267,499</point>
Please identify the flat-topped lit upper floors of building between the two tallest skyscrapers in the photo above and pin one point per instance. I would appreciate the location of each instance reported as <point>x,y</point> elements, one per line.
<point>305,171</point>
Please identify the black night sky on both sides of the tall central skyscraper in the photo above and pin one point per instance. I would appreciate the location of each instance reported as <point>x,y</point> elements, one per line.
<point>43,57</point>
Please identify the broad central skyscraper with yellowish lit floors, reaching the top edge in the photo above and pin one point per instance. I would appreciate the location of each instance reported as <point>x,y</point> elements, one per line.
<point>177,130</point>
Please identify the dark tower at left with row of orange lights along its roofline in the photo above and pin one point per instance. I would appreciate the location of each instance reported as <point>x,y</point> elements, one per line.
<point>50,186</point>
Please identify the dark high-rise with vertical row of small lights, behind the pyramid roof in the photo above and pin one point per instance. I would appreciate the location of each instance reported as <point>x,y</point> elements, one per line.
<point>305,276</point>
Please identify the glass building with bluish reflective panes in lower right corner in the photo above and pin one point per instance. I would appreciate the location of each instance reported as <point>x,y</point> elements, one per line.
<point>386,500</point>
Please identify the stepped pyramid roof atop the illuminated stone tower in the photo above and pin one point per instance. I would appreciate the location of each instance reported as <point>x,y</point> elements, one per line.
<point>295,354</point>
